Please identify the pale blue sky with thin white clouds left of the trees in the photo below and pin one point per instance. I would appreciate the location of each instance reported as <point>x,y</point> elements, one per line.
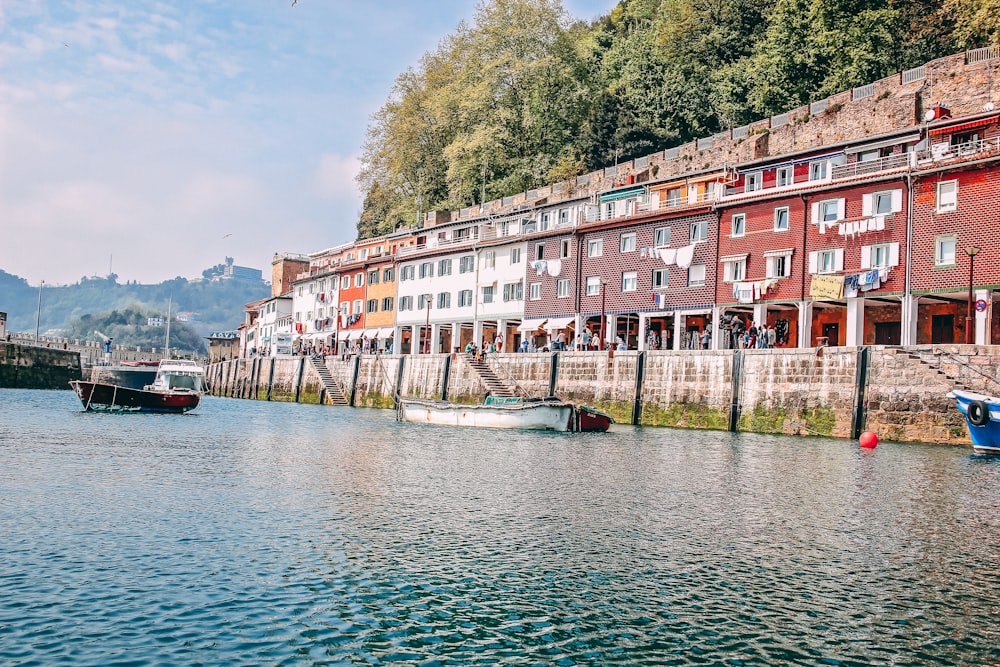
<point>153,139</point>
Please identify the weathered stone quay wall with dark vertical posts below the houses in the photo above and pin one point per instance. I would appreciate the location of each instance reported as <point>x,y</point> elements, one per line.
<point>899,393</point>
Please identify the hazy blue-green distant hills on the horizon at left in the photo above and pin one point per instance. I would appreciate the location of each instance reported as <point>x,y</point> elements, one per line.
<point>207,305</point>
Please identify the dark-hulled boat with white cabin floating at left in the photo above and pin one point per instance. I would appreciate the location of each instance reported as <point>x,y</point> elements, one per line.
<point>177,388</point>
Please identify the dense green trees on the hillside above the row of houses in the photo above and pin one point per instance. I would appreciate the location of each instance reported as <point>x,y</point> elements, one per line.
<point>524,96</point>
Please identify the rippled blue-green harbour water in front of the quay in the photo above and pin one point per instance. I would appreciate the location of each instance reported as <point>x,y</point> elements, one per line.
<point>252,533</point>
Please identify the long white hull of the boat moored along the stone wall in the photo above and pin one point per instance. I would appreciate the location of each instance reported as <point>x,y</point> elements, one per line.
<point>532,416</point>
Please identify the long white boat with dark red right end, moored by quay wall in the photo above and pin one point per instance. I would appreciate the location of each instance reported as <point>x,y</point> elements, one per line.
<point>548,414</point>
